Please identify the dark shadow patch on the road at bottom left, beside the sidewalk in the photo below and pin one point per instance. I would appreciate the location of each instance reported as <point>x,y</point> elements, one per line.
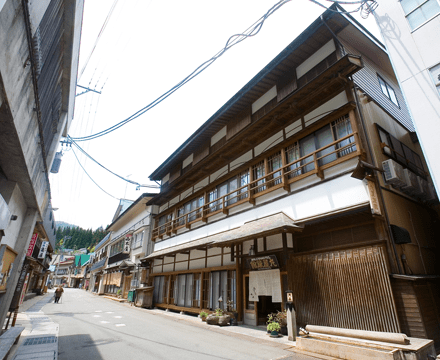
<point>74,347</point>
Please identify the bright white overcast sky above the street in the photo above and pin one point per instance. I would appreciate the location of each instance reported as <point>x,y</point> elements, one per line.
<point>147,47</point>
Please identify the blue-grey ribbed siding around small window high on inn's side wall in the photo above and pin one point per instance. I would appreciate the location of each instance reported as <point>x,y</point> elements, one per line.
<point>367,80</point>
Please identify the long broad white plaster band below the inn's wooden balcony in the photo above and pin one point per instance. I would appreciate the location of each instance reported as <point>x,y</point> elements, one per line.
<point>334,195</point>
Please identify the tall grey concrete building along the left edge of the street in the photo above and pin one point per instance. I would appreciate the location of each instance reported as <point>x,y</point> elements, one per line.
<point>38,70</point>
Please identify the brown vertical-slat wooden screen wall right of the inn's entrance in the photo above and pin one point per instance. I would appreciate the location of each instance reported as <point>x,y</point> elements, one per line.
<point>348,289</point>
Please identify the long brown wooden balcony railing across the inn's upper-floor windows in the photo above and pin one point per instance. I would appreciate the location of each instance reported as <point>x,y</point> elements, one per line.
<point>314,163</point>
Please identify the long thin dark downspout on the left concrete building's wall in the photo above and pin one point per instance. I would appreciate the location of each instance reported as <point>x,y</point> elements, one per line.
<point>27,22</point>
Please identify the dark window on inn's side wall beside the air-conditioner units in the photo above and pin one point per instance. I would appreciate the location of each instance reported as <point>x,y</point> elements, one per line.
<point>400,152</point>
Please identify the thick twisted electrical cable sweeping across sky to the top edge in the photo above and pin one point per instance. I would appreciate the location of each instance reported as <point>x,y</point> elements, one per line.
<point>232,41</point>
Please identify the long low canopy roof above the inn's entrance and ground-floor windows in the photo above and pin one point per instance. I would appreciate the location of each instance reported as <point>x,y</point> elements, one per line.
<point>268,225</point>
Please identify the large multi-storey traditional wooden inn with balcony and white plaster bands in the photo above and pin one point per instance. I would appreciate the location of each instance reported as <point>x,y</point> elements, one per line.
<point>300,182</point>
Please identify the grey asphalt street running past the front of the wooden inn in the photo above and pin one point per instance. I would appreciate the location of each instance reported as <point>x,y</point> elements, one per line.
<point>96,328</point>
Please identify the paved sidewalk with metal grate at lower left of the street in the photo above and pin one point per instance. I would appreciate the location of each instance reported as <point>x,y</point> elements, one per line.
<point>39,339</point>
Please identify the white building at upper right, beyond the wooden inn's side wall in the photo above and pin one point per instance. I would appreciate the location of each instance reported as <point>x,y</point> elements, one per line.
<point>410,30</point>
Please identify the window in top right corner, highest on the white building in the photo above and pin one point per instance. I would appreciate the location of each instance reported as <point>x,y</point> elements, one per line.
<point>417,12</point>
